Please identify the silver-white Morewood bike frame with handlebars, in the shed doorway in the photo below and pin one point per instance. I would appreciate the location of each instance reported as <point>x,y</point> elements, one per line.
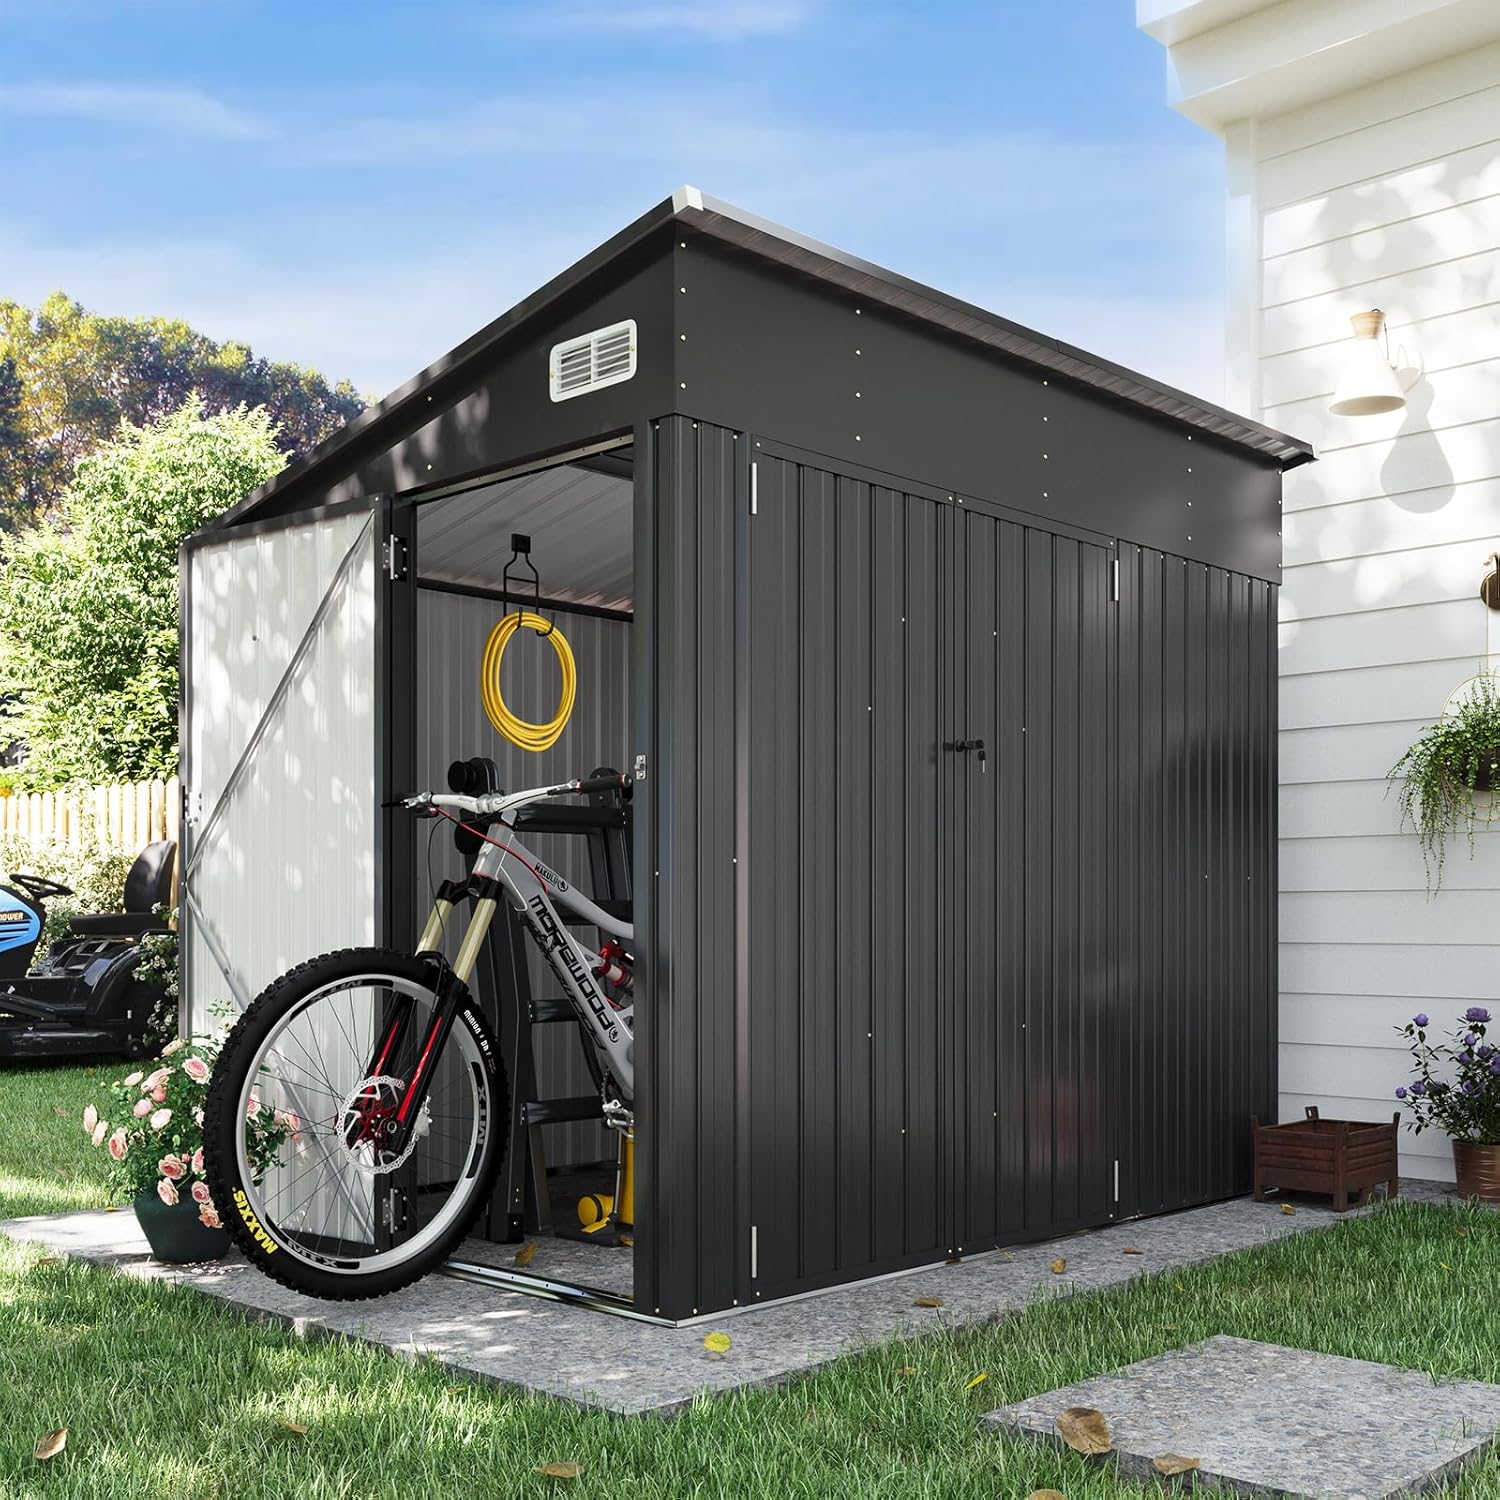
<point>533,889</point>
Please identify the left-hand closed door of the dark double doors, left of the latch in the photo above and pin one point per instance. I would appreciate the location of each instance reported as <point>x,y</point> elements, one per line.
<point>850,982</point>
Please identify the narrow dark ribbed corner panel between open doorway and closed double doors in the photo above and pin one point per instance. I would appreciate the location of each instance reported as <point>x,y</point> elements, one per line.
<point>689,1252</point>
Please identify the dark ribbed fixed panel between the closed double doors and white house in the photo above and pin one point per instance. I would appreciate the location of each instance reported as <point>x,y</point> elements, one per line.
<point>1196,922</point>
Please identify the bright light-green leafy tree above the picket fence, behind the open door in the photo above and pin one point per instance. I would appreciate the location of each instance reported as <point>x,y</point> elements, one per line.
<point>89,608</point>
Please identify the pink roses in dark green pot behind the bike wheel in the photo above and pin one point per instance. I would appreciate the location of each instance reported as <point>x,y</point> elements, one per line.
<point>152,1130</point>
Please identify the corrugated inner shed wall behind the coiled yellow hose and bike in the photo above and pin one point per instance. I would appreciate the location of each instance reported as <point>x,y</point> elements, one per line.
<point>451,725</point>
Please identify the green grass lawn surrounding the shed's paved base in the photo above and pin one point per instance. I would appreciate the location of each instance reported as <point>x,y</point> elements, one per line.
<point>169,1396</point>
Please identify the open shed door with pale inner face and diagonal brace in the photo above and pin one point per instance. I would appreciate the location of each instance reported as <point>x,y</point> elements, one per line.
<point>281,664</point>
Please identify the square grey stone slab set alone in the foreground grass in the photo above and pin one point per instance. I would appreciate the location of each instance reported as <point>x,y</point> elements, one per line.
<point>1265,1420</point>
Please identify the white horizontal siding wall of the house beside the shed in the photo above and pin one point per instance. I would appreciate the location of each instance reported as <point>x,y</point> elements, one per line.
<point>1385,197</point>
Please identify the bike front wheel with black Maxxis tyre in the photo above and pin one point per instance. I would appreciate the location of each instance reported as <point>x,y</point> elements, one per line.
<point>308,1195</point>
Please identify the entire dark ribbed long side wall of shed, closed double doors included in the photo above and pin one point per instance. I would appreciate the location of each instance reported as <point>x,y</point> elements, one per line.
<point>964,994</point>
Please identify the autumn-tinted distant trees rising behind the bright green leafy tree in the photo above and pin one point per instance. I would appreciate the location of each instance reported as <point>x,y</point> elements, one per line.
<point>83,374</point>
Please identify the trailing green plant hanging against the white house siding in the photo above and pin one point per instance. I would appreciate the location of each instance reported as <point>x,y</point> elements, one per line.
<point>1445,769</point>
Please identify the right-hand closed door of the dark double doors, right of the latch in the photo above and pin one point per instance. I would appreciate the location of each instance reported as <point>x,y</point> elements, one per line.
<point>1033,1043</point>
